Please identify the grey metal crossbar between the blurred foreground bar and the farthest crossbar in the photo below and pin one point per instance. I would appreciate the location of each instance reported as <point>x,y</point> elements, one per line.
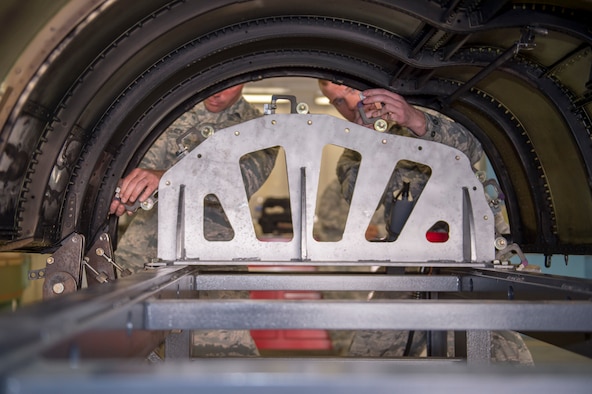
<point>380,315</point>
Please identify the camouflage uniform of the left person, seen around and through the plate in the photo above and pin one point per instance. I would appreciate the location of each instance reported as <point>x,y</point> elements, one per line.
<point>138,245</point>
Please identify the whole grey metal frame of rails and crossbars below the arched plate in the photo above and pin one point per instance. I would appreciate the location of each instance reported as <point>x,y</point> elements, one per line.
<point>45,347</point>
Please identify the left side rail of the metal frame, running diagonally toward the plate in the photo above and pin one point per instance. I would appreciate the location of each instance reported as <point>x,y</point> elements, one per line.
<point>28,333</point>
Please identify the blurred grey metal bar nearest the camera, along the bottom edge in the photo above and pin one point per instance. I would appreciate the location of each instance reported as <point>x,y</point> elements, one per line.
<point>297,375</point>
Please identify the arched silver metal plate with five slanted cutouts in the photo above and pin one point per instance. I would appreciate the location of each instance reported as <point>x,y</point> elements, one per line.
<point>453,195</point>
